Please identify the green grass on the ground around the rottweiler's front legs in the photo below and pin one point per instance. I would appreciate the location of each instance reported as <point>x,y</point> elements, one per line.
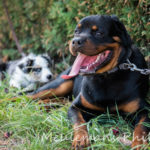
<point>33,128</point>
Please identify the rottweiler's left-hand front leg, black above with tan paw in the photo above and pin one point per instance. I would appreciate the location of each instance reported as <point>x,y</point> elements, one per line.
<point>81,138</point>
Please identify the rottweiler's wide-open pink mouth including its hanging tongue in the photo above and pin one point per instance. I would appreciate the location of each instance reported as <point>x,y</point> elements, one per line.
<point>89,64</point>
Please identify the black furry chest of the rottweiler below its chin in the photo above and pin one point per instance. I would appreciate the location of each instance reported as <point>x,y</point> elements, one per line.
<point>106,92</point>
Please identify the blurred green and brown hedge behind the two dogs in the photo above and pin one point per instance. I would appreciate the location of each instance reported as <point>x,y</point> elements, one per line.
<point>48,25</point>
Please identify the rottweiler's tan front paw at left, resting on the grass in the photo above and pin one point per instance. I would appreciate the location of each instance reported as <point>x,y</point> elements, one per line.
<point>81,140</point>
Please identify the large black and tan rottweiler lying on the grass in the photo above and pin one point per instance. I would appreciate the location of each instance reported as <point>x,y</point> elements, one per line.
<point>101,44</point>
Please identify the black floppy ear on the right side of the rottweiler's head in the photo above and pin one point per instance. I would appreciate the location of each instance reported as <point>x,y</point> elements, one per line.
<point>119,30</point>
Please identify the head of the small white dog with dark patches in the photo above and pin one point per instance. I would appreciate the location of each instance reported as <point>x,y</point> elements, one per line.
<point>36,68</point>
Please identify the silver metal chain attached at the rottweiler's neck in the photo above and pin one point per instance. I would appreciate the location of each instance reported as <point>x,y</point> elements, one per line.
<point>133,67</point>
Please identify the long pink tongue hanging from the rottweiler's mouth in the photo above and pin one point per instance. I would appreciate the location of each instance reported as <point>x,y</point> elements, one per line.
<point>76,67</point>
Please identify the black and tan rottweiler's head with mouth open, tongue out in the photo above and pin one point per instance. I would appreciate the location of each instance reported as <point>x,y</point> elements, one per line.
<point>101,43</point>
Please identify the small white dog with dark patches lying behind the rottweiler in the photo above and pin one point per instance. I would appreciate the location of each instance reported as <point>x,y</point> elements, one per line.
<point>29,71</point>
